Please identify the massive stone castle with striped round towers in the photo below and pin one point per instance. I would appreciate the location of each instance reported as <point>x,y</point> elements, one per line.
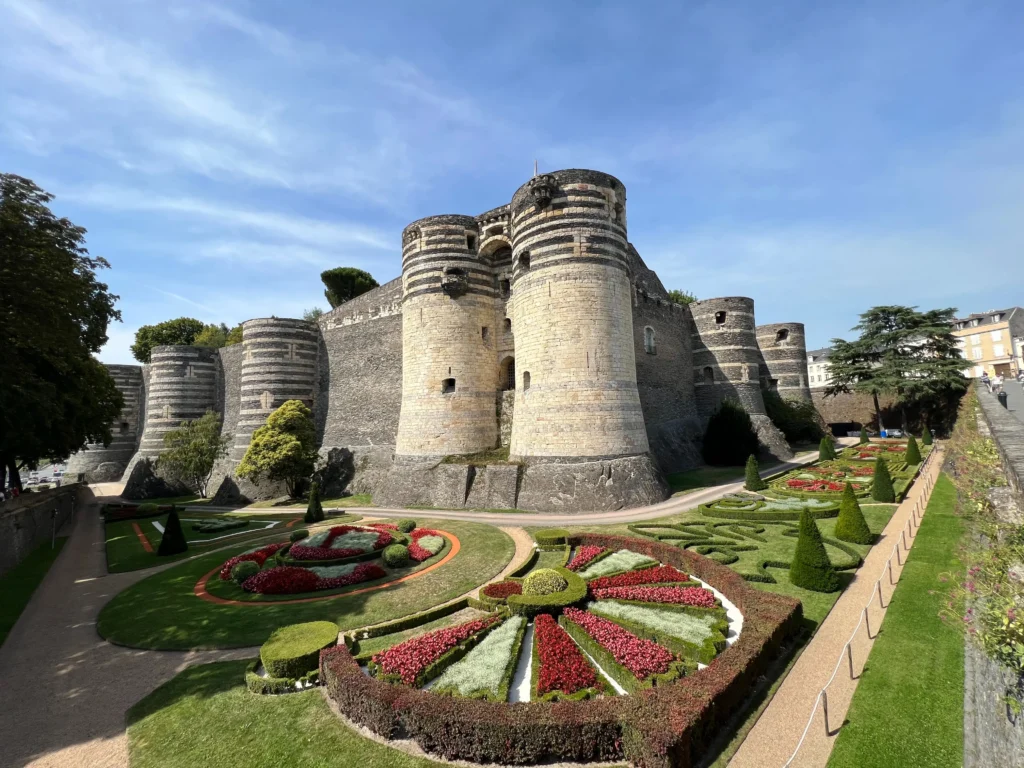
<point>535,327</point>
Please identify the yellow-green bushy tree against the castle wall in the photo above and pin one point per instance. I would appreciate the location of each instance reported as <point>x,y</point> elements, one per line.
<point>284,449</point>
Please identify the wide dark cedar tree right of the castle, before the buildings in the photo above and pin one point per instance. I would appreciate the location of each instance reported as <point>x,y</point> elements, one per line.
<point>902,352</point>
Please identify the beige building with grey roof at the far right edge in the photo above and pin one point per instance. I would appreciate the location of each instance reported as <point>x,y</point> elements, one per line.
<point>992,343</point>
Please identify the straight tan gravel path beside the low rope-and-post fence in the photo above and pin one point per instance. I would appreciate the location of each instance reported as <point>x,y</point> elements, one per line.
<point>781,727</point>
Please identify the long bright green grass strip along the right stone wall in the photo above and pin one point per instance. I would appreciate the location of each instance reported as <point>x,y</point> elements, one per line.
<point>909,708</point>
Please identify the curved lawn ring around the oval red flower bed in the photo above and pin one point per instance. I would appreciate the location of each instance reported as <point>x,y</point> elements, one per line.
<point>162,613</point>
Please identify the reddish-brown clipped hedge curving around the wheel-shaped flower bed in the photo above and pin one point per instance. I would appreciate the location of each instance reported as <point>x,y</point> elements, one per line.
<point>667,727</point>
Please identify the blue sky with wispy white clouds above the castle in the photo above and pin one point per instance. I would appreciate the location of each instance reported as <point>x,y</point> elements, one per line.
<point>821,158</point>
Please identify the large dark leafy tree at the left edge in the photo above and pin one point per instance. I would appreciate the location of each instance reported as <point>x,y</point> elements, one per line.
<point>55,396</point>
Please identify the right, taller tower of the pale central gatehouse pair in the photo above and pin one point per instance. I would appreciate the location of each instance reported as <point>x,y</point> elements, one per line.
<point>572,315</point>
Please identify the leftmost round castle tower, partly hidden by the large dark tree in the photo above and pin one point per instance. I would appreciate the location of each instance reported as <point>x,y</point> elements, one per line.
<point>104,464</point>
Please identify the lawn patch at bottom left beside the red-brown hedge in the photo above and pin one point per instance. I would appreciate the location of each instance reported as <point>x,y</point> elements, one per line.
<point>229,727</point>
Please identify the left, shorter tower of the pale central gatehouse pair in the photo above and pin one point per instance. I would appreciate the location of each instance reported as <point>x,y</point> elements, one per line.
<point>449,366</point>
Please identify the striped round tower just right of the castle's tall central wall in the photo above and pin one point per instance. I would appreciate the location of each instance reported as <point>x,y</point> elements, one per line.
<point>727,359</point>
